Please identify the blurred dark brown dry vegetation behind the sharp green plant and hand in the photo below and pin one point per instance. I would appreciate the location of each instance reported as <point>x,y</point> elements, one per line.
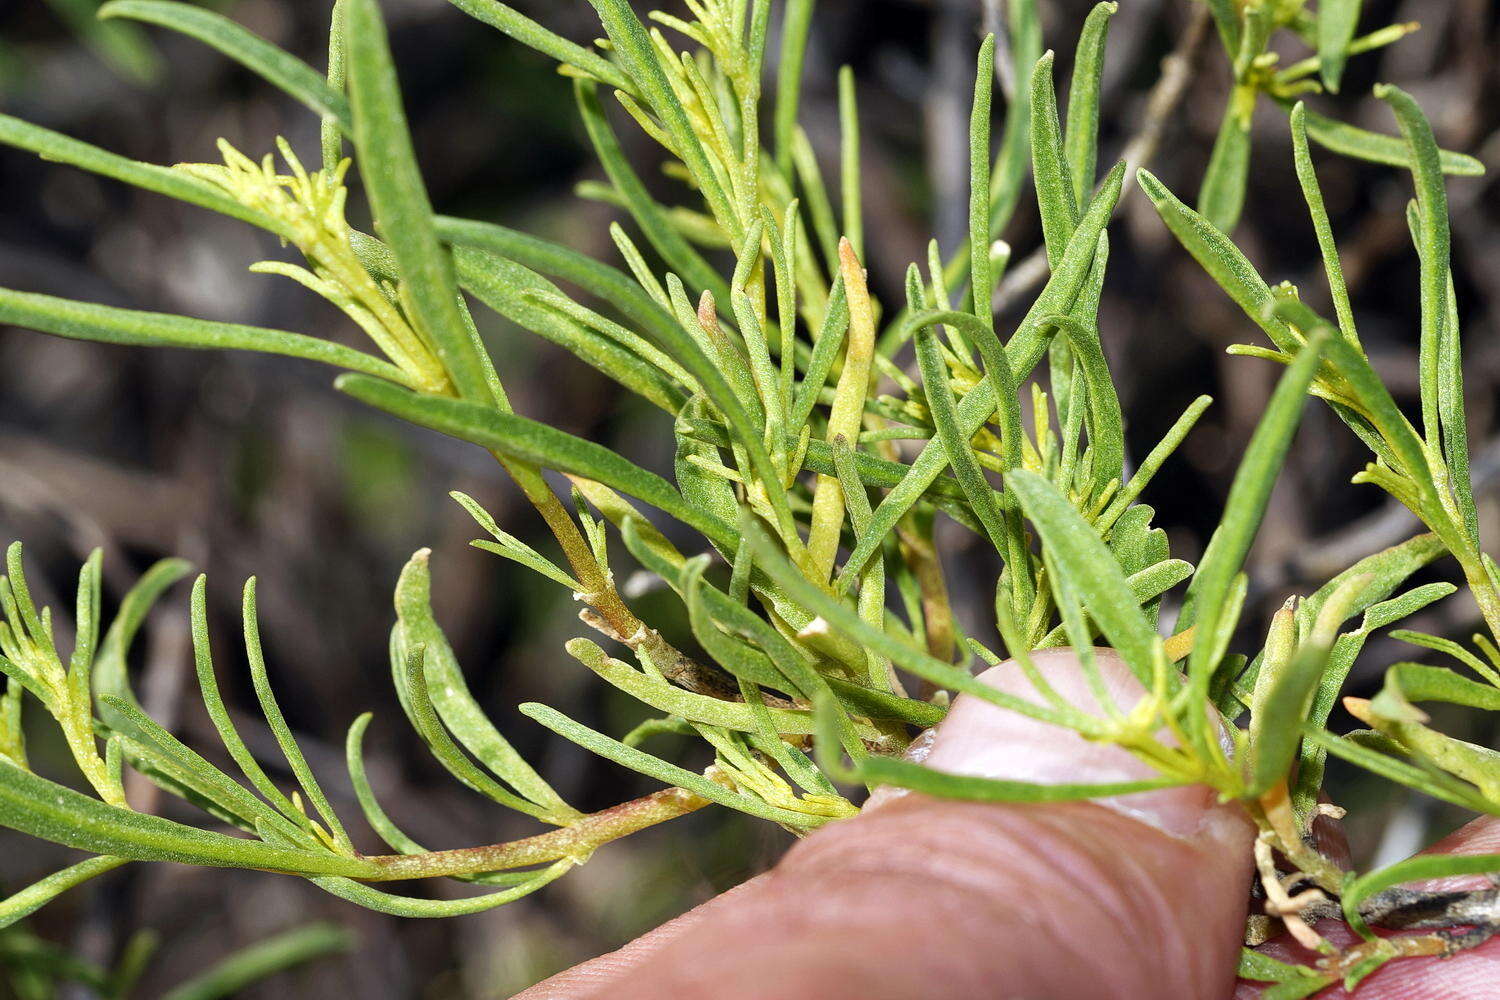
<point>253,466</point>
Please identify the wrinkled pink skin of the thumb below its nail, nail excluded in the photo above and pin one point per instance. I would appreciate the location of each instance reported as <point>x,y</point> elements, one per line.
<point>958,900</point>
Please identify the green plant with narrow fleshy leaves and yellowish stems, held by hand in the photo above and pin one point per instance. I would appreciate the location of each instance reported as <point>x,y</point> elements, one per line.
<point>818,437</point>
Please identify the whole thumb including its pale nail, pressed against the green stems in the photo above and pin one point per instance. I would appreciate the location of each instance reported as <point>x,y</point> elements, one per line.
<point>1142,896</point>
